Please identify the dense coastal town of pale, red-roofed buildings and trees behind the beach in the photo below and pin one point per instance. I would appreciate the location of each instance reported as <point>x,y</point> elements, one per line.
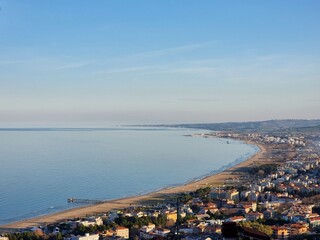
<point>273,200</point>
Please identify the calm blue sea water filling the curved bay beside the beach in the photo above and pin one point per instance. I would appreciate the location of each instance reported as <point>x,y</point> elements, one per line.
<point>40,169</point>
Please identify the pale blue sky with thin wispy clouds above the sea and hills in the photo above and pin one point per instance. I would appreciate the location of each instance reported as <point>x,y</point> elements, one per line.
<point>94,63</point>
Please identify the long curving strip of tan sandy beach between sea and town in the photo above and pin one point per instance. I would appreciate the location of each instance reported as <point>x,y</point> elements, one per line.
<point>214,180</point>
